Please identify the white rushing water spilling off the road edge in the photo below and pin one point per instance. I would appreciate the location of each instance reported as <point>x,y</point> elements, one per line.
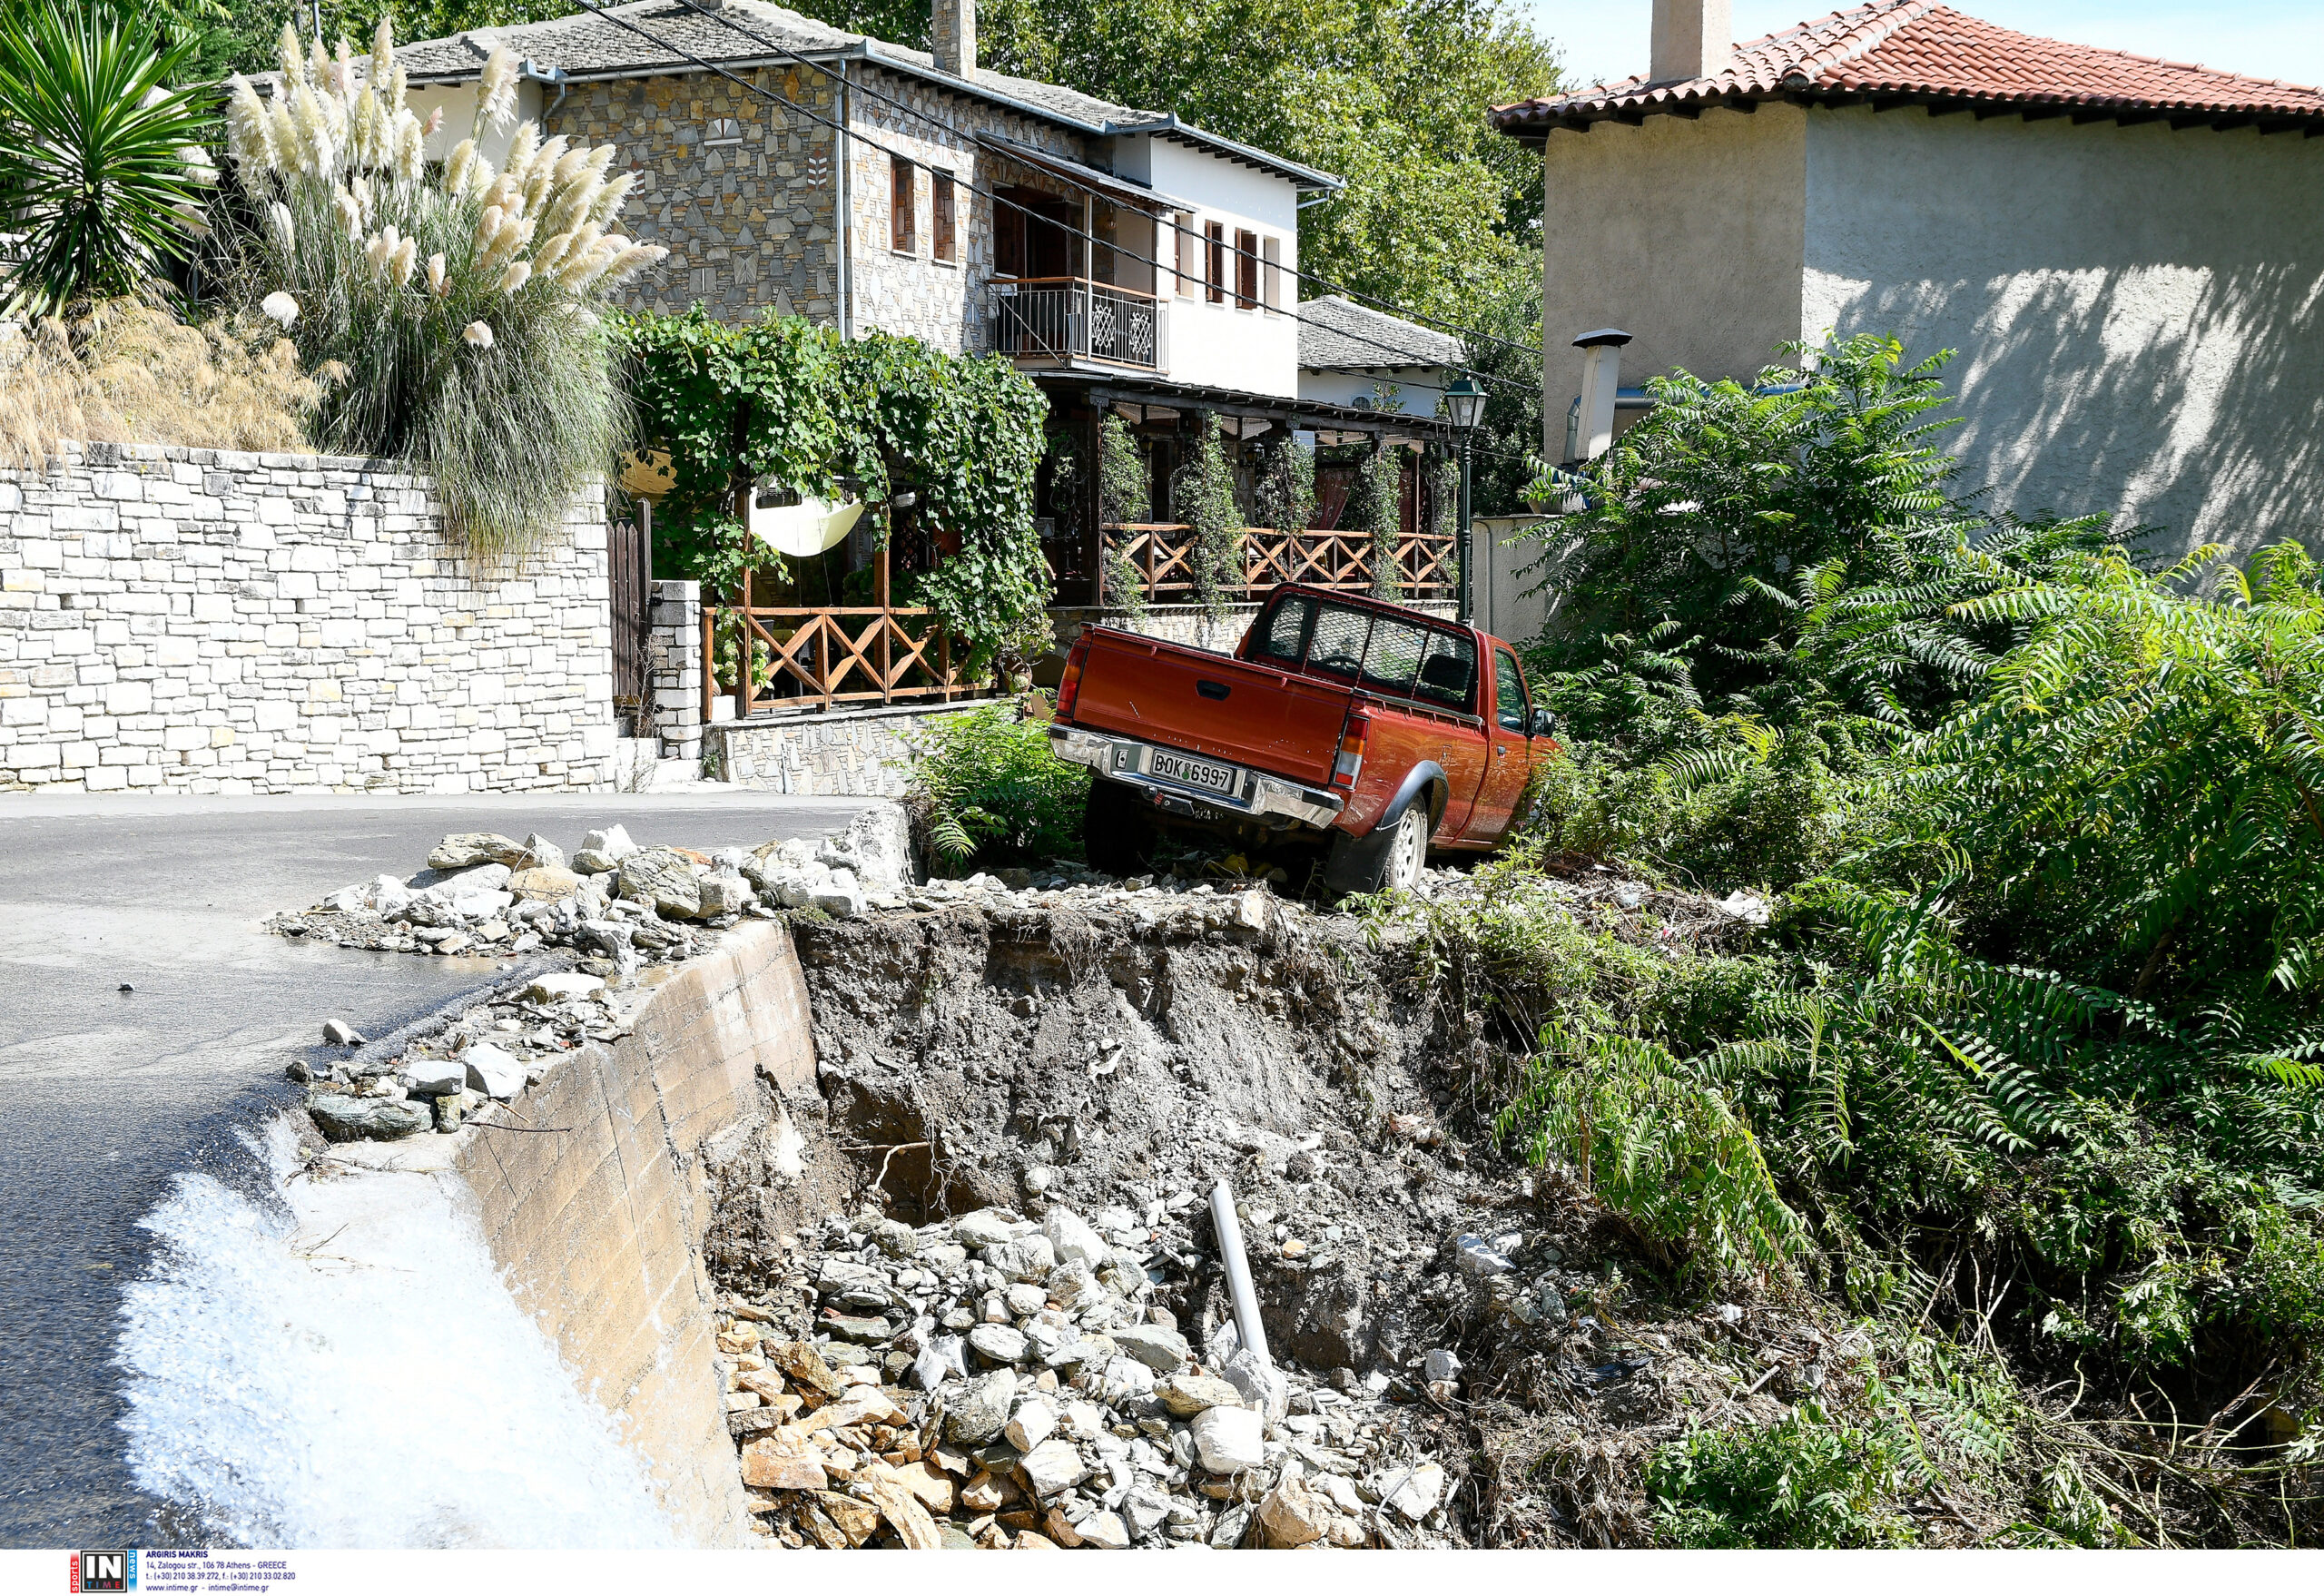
<point>350,1372</point>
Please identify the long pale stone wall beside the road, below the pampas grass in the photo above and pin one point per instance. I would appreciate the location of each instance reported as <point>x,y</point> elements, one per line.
<point>213,621</point>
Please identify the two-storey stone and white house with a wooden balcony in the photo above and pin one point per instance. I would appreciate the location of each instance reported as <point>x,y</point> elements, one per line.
<point>1121,257</point>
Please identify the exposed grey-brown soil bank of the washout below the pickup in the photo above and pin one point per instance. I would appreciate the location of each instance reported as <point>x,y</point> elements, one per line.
<point>1014,1051</point>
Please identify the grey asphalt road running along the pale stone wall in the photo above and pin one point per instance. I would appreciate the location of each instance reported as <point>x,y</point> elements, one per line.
<point>106,1095</point>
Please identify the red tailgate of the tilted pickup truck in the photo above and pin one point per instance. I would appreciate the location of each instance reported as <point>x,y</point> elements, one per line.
<point>1212,703</point>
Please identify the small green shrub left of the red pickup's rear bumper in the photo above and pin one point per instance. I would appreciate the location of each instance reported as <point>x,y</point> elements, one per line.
<point>994,793</point>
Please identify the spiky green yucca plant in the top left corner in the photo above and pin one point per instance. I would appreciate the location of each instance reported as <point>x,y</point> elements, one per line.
<point>101,164</point>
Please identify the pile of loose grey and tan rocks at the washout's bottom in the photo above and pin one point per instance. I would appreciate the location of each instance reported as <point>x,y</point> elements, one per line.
<point>994,1381</point>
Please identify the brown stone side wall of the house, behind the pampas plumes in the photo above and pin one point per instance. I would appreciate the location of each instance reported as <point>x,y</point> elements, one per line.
<point>752,222</point>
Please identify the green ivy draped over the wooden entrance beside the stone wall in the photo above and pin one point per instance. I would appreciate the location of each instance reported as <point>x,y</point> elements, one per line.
<point>784,403</point>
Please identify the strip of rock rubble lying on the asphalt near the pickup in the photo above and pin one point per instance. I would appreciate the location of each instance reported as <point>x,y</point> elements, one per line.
<point>612,903</point>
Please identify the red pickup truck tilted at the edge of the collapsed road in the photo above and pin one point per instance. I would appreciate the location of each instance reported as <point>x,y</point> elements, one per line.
<point>1370,728</point>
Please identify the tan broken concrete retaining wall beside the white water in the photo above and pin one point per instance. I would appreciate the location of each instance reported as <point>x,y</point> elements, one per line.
<point>596,1216</point>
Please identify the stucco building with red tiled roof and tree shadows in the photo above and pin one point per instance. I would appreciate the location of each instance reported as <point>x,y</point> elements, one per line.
<point>2125,252</point>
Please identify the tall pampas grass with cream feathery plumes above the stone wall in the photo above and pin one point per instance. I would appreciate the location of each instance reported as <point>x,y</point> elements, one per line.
<point>452,308</point>
